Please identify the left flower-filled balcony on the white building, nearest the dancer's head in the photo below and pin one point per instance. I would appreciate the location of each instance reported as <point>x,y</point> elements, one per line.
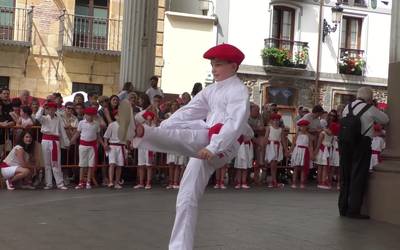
<point>285,53</point>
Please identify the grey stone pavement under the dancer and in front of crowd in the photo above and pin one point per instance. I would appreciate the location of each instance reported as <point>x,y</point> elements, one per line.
<point>258,218</point>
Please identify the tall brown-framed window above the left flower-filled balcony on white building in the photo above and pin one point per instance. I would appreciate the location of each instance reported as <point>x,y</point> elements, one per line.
<point>283,26</point>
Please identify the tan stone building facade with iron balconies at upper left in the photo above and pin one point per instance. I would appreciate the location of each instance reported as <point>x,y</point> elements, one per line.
<point>60,46</point>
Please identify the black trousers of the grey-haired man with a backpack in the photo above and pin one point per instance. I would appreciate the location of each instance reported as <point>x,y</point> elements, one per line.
<point>354,172</point>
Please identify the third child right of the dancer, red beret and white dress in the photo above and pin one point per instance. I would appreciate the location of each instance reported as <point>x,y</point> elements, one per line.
<point>301,153</point>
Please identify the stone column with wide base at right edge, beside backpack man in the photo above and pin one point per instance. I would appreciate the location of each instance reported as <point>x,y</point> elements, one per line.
<point>383,198</point>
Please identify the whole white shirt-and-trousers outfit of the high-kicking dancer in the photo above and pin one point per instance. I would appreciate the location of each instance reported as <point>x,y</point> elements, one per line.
<point>185,133</point>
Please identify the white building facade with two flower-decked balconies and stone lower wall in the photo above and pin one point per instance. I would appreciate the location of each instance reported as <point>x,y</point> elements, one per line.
<point>280,39</point>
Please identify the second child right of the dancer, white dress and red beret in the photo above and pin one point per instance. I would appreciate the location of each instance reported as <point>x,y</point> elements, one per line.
<point>276,147</point>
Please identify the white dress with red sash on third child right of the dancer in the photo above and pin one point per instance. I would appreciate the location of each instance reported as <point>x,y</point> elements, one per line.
<point>301,153</point>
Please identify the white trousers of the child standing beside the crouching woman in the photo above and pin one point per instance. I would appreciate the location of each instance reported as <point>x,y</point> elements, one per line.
<point>52,167</point>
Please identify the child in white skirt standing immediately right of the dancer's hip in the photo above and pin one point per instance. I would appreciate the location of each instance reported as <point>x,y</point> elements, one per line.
<point>243,161</point>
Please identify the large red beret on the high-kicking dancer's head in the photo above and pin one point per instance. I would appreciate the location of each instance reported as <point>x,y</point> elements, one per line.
<point>225,52</point>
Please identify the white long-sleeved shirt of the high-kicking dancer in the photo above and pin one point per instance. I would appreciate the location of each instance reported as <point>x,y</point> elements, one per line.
<point>224,102</point>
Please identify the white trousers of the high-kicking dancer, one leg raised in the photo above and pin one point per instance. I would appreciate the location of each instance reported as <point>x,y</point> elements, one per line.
<point>195,178</point>
